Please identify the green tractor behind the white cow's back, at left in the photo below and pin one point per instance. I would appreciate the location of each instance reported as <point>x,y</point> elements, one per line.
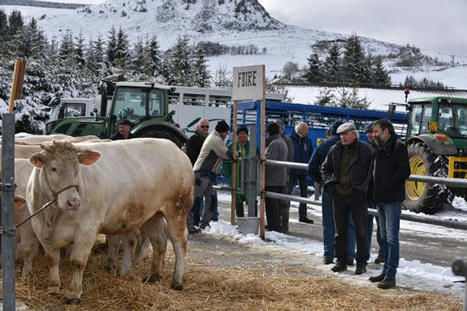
<point>143,104</point>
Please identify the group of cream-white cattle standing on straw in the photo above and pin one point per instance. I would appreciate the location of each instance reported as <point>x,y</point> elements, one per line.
<point>124,189</point>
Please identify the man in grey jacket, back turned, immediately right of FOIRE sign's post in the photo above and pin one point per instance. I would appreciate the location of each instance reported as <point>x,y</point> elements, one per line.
<point>275,175</point>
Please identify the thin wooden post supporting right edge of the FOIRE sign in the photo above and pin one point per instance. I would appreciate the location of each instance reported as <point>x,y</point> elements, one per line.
<point>262,166</point>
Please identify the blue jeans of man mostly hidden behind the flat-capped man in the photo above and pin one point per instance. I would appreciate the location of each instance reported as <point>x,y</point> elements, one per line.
<point>329,230</point>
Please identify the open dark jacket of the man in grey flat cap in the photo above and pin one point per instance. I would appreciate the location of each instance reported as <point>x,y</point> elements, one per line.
<point>360,167</point>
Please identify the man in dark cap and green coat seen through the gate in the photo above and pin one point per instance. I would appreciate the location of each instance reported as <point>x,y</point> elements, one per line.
<point>243,146</point>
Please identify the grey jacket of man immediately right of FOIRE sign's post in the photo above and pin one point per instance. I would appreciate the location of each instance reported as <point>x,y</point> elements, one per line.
<point>276,150</point>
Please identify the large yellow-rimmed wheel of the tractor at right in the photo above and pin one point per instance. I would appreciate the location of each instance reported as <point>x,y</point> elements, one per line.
<point>423,197</point>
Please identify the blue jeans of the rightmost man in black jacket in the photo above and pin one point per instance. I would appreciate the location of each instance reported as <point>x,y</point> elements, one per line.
<point>389,222</point>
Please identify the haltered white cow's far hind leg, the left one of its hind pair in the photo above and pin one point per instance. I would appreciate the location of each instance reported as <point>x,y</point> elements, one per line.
<point>156,230</point>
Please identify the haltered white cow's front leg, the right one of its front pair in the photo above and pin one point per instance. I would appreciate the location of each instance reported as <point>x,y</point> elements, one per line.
<point>79,256</point>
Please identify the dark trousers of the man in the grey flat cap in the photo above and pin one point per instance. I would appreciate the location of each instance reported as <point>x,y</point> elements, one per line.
<point>355,204</point>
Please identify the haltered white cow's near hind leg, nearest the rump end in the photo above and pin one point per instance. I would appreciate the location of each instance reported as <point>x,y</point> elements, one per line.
<point>178,233</point>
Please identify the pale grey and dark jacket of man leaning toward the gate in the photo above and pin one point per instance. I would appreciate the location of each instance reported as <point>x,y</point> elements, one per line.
<point>213,152</point>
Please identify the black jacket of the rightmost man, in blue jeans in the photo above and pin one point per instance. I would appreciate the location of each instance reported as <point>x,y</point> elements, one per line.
<point>391,169</point>
